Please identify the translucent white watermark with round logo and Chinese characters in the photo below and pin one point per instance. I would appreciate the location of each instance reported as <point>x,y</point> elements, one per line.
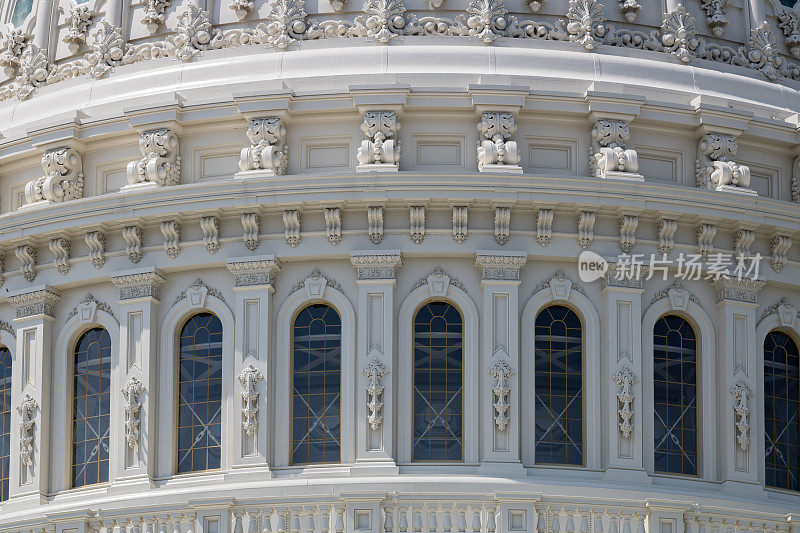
<point>592,266</point>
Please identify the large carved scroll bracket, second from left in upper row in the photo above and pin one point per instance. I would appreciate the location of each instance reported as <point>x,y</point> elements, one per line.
<point>161,161</point>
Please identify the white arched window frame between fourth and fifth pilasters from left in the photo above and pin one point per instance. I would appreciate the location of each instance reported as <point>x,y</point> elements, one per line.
<point>469,313</point>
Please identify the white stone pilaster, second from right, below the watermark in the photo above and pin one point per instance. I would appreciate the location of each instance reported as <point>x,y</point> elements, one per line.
<point>621,371</point>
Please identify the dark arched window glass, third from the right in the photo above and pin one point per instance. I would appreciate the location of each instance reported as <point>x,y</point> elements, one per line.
<point>558,363</point>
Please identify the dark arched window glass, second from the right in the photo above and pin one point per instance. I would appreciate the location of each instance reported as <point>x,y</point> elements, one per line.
<point>675,396</point>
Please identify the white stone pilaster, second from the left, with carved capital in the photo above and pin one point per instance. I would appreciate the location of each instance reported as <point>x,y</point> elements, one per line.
<point>135,371</point>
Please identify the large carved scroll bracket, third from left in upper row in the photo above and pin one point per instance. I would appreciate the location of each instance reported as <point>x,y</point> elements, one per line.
<point>267,152</point>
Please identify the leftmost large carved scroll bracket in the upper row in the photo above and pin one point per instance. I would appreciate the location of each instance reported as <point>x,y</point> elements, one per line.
<point>62,180</point>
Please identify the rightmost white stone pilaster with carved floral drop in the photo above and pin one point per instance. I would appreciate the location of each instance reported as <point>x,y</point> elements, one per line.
<point>737,357</point>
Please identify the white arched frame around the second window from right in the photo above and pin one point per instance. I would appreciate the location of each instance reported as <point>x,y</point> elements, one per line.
<point>706,386</point>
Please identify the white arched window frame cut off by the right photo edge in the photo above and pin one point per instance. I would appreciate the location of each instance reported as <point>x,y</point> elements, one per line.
<point>787,323</point>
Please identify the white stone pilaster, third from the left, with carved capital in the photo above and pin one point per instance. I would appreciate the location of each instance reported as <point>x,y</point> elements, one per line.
<point>253,285</point>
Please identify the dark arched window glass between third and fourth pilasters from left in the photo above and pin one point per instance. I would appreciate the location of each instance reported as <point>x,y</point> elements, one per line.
<point>316,385</point>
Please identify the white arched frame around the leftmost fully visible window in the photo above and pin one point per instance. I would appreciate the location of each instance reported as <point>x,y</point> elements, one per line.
<point>61,399</point>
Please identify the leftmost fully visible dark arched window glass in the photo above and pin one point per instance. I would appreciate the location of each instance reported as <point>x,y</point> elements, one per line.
<point>91,400</point>
